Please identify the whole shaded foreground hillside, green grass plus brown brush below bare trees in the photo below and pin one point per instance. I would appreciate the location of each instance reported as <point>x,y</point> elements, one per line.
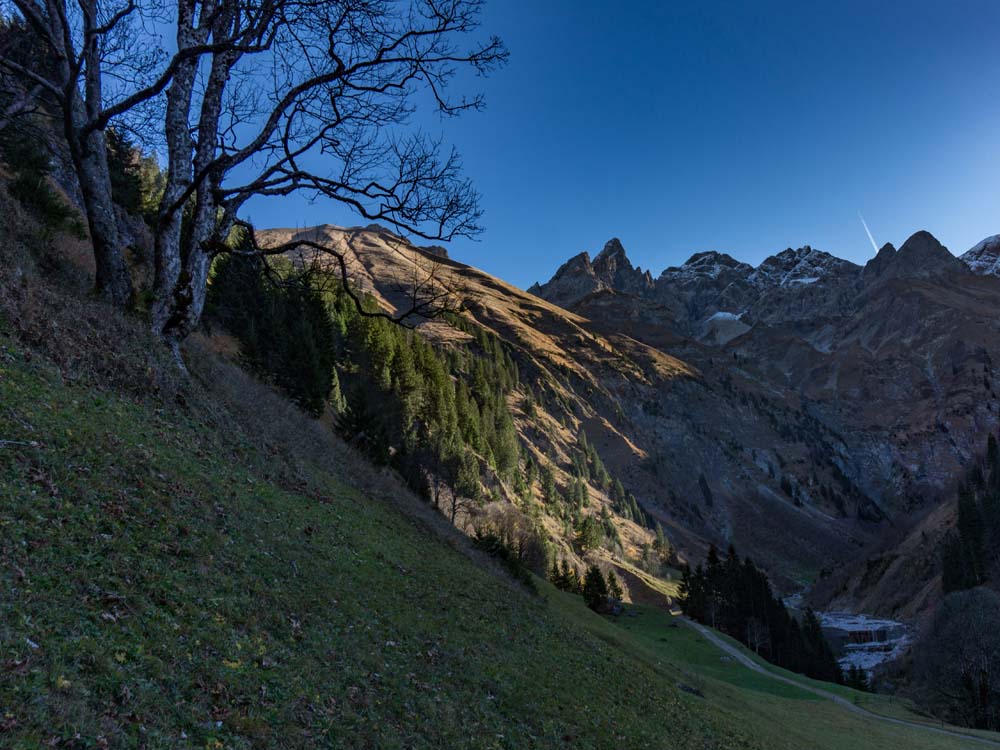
<point>198,564</point>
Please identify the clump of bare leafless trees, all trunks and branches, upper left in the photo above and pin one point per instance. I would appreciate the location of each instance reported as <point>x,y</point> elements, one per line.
<point>262,99</point>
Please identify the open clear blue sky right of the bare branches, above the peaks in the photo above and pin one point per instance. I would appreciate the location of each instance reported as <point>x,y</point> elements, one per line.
<point>746,127</point>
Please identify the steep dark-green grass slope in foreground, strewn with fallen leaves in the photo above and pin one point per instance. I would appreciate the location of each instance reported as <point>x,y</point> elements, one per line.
<point>160,588</point>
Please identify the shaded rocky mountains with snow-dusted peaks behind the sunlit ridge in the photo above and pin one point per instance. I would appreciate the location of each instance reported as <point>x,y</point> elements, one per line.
<point>891,356</point>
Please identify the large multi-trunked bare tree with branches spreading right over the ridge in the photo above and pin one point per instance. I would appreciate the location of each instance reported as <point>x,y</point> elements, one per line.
<point>311,97</point>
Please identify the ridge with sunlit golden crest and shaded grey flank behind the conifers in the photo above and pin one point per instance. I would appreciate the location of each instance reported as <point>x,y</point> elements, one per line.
<point>705,444</point>
